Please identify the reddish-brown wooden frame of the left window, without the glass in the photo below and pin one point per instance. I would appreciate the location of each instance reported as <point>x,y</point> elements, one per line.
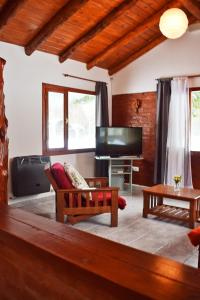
<point>46,87</point>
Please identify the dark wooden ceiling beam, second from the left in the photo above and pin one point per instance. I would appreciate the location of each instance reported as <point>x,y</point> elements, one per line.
<point>61,16</point>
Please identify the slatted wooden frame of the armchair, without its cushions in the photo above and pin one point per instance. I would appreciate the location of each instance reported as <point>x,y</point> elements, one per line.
<point>79,204</point>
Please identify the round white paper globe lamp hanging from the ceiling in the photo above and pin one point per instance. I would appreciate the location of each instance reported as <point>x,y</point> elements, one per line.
<point>173,23</point>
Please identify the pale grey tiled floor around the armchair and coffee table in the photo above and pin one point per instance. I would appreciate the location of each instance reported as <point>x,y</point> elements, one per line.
<point>163,237</point>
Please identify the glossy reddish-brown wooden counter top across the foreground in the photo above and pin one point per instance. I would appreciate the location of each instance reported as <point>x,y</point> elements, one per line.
<point>42,259</point>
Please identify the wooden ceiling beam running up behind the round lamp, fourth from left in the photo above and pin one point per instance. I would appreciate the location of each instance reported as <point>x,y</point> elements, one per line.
<point>131,35</point>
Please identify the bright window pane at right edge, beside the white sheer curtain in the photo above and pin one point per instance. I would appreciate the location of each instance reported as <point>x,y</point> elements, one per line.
<point>195,120</point>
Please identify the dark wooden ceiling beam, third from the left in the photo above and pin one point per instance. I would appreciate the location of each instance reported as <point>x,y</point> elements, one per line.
<point>106,21</point>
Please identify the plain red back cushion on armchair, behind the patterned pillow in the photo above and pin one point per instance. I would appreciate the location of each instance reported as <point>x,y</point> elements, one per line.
<point>60,176</point>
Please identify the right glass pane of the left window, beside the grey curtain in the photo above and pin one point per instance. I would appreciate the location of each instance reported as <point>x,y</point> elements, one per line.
<point>81,121</point>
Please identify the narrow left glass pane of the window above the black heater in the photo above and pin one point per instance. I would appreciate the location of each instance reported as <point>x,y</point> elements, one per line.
<point>56,120</point>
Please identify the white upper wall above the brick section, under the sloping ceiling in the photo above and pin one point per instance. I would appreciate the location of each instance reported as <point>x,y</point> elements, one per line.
<point>171,58</point>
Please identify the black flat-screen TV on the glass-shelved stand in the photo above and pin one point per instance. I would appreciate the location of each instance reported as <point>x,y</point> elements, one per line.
<point>118,141</point>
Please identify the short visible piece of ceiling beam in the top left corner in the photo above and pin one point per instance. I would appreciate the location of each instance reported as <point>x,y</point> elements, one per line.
<point>9,10</point>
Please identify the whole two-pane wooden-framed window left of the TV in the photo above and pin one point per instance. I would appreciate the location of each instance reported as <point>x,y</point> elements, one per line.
<point>68,120</point>
